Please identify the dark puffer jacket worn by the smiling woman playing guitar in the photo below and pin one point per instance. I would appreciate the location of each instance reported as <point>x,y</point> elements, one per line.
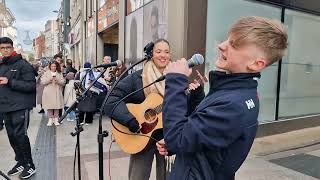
<point>129,84</point>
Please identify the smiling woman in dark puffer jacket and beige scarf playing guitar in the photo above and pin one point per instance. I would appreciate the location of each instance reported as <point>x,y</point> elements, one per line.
<point>141,163</point>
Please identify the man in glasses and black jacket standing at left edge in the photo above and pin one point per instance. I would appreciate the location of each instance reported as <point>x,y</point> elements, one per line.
<point>17,97</point>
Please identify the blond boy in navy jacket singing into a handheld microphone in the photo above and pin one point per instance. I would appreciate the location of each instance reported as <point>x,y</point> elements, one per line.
<point>214,140</point>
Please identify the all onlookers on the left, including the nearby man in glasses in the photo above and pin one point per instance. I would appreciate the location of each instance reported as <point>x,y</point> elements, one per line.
<point>51,84</point>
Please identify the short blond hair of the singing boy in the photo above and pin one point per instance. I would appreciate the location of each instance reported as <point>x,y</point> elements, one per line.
<point>268,35</point>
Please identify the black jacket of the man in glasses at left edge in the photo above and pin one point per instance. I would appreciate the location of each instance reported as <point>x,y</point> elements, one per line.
<point>20,92</point>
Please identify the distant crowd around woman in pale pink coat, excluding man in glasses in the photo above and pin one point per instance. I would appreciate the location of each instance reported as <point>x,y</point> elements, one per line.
<point>56,90</point>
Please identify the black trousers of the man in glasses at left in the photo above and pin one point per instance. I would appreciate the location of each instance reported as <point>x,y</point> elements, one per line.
<point>17,123</point>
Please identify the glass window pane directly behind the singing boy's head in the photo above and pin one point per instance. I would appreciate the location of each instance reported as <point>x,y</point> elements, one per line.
<point>221,15</point>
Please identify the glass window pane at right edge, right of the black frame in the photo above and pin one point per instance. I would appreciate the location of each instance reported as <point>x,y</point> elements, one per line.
<point>300,82</point>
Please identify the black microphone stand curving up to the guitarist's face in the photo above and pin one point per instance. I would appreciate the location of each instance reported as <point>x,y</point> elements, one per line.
<point>102,134</point>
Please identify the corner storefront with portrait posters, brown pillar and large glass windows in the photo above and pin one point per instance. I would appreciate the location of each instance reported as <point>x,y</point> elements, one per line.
<point>288,90</point>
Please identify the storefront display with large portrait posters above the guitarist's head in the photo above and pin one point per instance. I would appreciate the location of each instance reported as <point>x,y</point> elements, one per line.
<point>145,21</point>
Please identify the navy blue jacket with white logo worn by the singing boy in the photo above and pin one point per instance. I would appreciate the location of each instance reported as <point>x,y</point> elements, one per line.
<point>213,142</point>
